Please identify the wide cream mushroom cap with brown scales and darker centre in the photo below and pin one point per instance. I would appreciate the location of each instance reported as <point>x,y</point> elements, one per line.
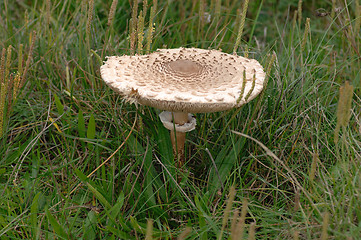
<point>185,79</point>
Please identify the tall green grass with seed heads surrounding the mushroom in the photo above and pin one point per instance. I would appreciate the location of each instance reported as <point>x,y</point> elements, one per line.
<point>77,162</point>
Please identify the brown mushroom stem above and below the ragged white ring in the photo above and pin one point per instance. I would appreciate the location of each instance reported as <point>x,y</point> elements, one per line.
<point>178,138</point>
